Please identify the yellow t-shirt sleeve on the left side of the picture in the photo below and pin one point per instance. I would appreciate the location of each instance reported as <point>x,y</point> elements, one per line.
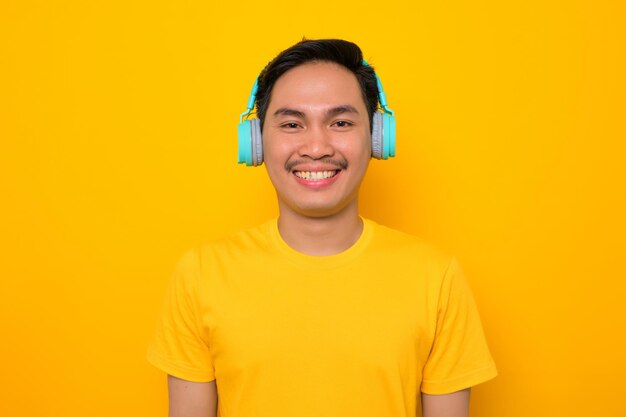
<point>178,346</point>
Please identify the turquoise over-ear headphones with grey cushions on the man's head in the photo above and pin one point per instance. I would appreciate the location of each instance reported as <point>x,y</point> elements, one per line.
<point>383,130</point>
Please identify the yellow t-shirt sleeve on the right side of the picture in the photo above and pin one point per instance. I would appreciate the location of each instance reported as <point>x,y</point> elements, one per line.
<point>459,357</point>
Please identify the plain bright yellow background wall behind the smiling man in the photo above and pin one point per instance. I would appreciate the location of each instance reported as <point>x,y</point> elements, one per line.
<point>118,151</point>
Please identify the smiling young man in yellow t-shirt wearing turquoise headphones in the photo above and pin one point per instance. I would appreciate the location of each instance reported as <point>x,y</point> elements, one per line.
<point>320,313</point>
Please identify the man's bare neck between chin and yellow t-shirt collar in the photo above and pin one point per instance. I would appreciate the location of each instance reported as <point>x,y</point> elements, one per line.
<point>320,236</point>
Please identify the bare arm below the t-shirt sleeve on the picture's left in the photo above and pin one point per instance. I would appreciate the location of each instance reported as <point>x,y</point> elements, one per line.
<point>191,399</point>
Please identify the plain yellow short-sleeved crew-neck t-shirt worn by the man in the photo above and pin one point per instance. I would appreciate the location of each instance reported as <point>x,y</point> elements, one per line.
<point>284,334</point>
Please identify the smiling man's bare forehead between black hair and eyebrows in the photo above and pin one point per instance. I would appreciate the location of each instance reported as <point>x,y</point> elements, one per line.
<point>317,84</point>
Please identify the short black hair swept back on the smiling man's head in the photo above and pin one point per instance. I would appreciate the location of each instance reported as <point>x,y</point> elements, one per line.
<point>344,53</point>
